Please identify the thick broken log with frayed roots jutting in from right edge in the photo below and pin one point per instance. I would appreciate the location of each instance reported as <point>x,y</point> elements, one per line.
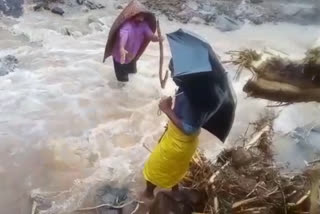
<point>278,78</point>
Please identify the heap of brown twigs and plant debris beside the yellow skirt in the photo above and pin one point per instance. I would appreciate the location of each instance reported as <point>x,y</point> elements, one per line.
<point>246,180</point>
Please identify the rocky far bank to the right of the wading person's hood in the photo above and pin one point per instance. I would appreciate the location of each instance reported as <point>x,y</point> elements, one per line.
<point>229,15</point>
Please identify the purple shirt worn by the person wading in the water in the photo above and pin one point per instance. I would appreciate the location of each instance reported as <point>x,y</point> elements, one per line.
<point>132,36</point>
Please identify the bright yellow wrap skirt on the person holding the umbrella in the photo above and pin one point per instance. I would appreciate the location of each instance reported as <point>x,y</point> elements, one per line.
<point>169,162</point>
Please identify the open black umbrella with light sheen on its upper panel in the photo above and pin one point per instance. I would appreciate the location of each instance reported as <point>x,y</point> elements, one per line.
<point>199,74</point>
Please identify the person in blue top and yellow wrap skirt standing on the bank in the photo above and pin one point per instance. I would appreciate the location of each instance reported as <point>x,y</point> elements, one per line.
<point>169,162</point>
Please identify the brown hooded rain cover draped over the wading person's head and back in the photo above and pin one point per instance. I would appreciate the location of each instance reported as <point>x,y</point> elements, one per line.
<point>133,8</point>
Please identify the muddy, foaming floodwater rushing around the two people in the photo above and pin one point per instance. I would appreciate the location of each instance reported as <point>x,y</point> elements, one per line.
<point>64,120</point>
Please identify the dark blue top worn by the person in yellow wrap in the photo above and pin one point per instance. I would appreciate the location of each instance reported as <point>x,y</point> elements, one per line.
<point>192,119</point>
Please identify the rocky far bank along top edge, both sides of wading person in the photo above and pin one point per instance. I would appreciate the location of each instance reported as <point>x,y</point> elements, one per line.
<point>225,15</point>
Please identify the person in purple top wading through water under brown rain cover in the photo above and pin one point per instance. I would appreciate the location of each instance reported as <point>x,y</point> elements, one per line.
<point>129,36</point>
